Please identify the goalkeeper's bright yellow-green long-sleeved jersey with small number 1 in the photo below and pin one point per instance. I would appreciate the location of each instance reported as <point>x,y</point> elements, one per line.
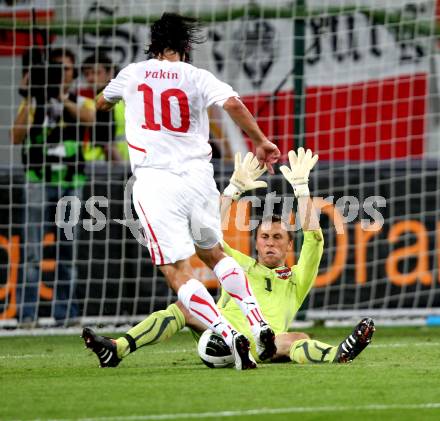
<point>279,291</point>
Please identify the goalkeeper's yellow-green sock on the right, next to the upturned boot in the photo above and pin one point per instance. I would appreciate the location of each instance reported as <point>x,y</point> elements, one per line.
<point>309,351</point>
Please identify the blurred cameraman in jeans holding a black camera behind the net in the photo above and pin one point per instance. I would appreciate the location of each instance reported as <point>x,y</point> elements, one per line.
<point>51,122</point>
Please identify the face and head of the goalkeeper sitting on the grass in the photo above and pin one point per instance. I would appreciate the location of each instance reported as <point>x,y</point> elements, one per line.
<point>273,244</point>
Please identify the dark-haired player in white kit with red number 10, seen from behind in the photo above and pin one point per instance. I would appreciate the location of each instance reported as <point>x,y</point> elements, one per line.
<point>175,195</point>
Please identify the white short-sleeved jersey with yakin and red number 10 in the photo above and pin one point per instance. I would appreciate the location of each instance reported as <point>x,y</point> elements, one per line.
<point>166,119</point>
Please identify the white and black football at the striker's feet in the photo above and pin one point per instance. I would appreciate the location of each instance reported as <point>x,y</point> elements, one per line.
<point>213,350</point>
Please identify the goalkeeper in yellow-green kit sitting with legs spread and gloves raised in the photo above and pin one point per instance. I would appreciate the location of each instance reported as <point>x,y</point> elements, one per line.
<point>280,290</point>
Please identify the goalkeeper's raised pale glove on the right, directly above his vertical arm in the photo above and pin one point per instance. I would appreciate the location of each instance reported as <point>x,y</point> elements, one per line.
<point>298,173</point>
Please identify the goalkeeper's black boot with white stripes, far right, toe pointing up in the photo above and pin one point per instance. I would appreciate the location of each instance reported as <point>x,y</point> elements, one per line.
<point>356,342</point>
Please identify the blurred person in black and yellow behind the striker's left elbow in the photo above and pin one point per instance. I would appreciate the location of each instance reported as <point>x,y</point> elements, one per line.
<point>106,141</point>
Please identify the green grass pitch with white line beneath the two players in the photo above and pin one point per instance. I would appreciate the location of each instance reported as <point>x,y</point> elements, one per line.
<point>396,378</point>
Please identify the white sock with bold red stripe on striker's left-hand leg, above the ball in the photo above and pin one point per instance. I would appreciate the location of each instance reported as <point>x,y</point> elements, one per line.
<point>199,302</point>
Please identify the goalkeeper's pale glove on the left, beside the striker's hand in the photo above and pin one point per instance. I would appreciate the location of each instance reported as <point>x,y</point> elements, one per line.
<point>244,176</point>
